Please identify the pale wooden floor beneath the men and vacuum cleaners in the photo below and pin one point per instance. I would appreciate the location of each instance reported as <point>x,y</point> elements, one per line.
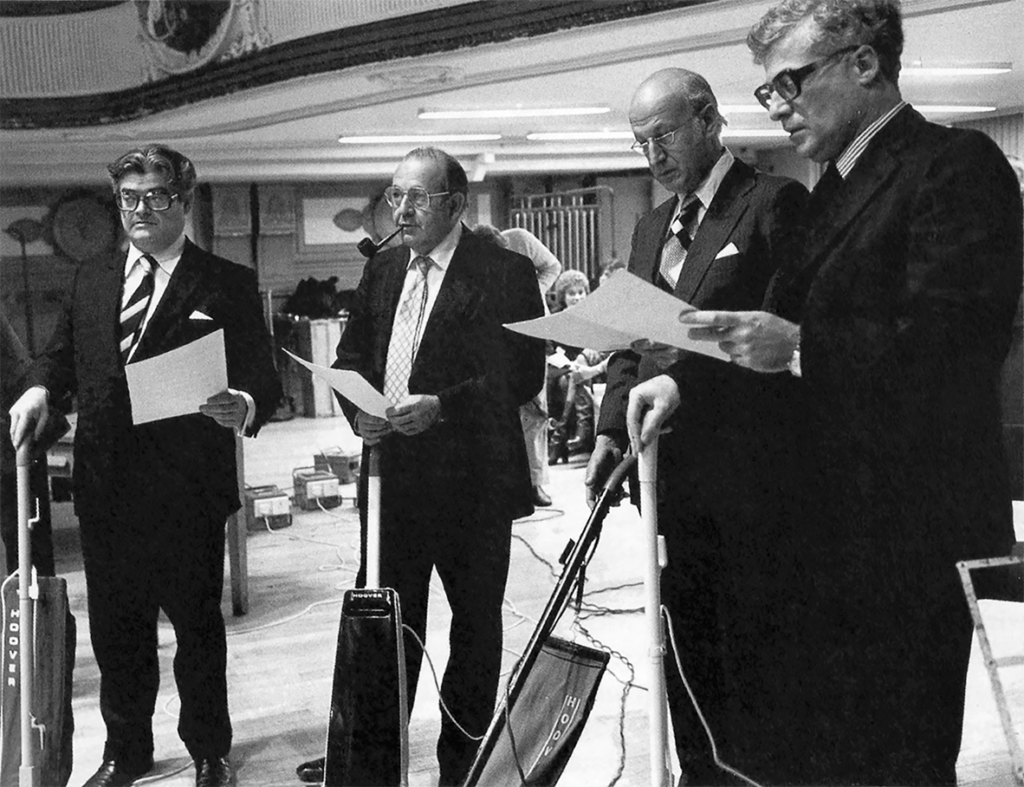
<point>281,654</point>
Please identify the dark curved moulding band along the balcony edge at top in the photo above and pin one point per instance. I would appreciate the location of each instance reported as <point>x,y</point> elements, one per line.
<point>421,34</point>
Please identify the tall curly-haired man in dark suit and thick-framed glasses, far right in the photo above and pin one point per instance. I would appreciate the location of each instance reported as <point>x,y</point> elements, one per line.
<point>897,317</point>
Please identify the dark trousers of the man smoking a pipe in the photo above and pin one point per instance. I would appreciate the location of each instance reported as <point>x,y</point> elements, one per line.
<point>470,547</point>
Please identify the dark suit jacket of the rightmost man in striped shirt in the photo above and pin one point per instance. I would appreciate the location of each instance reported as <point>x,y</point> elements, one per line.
<point>907,295</point>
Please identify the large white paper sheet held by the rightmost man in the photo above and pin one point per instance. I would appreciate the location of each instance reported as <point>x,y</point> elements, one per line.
<point>621,312</point>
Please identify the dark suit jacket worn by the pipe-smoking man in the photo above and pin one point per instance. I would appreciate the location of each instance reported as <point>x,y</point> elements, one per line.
<point>481,372</point>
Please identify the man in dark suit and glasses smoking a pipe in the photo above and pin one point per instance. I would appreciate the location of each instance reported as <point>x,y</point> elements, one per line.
<point>454,471</point>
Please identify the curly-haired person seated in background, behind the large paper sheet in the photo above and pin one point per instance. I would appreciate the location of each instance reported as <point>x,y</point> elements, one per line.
<point>570,373</point>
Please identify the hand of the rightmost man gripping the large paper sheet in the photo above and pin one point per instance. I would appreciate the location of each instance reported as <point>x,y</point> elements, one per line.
<point>756,340</point>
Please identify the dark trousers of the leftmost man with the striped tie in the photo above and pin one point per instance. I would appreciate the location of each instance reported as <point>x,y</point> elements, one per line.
<point>139,561</point>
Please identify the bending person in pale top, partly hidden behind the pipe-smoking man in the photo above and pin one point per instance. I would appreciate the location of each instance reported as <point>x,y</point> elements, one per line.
<point>534,415</point>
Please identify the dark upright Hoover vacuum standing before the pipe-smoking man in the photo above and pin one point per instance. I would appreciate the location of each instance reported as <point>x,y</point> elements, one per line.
<point>368,731</point>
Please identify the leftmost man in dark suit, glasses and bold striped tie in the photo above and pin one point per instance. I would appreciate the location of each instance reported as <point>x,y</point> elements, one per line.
<point>152,500</point>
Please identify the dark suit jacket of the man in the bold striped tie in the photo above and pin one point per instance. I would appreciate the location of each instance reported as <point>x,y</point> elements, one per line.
<point>165,462</point>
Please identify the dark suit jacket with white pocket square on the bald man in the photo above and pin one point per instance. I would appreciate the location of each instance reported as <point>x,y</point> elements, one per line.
<point>730,416</point>
